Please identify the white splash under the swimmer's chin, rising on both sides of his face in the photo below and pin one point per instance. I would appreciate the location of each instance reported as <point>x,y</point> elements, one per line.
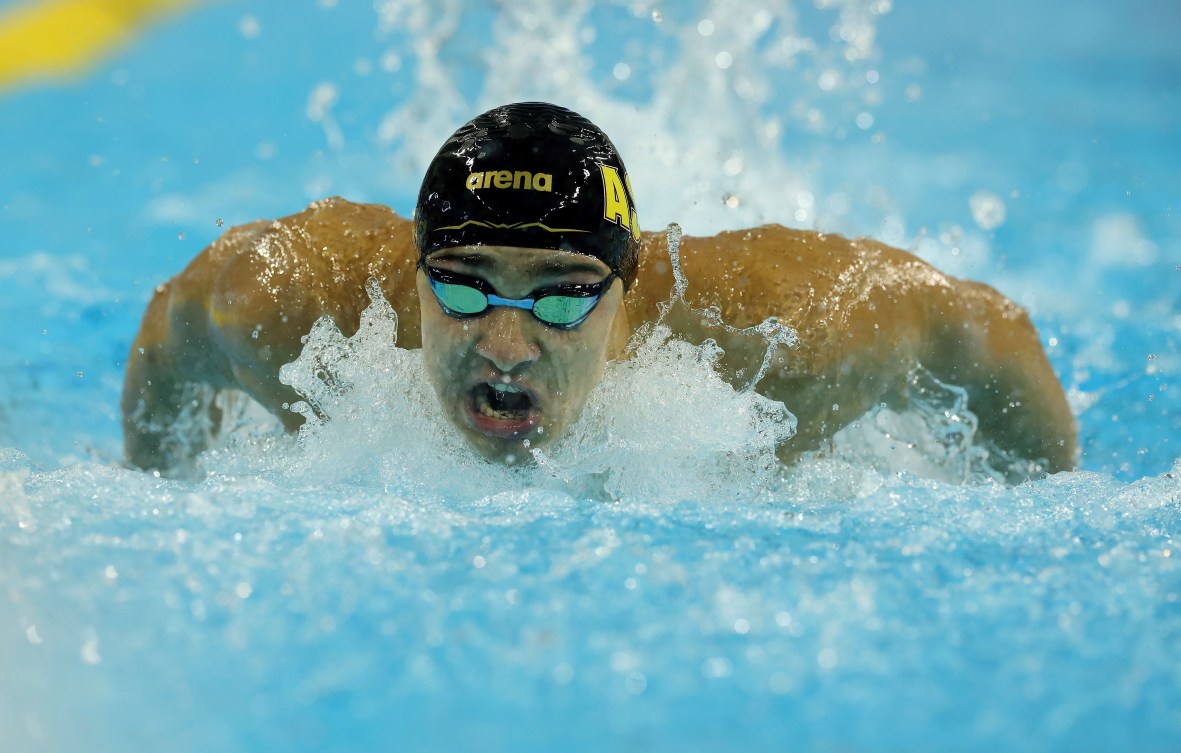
<point>371,420</point>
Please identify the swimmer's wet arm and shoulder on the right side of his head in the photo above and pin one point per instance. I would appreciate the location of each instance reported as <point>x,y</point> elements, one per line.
<point>867,316</point>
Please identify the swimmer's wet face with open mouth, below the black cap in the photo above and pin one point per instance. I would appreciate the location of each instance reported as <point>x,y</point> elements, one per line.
<point>507,381</point>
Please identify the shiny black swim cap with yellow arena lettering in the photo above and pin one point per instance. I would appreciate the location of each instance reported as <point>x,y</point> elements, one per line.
<point>531,175</point>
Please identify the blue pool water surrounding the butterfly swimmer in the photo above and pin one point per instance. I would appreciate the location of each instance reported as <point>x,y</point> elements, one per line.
<point>309,597</point>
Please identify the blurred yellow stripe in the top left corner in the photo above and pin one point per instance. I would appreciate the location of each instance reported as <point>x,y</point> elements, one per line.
<point>53,40</point>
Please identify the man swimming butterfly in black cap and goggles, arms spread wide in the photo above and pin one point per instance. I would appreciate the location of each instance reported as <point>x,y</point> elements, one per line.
<point>525,272</point>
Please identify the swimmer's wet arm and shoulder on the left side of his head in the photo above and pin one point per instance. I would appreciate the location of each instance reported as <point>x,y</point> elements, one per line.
<point>239,311</point>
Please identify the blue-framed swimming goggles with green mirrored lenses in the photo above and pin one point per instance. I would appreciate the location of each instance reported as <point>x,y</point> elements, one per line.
<point>560,306</point>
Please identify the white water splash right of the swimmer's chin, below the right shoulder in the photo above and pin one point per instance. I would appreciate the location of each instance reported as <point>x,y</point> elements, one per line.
<point>664,425</point>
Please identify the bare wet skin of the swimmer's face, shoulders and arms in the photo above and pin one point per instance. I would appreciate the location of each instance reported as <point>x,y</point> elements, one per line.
<point>867,316</point>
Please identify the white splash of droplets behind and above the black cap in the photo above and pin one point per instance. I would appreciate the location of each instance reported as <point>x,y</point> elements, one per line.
<point>769,69</point>
